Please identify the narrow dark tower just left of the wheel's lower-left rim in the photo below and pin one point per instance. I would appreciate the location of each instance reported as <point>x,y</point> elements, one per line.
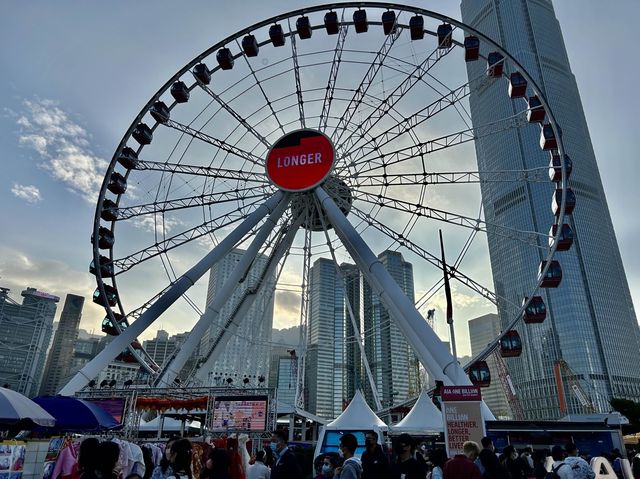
<point>60,356</point>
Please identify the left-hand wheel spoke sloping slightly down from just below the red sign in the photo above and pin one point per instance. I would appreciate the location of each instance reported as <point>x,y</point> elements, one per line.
<point>157,207</point>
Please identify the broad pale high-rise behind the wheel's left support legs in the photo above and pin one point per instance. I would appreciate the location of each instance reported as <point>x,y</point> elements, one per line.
<point>247,351</point>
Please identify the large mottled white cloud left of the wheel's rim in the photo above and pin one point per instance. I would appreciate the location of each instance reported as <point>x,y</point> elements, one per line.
<point>63,147</point>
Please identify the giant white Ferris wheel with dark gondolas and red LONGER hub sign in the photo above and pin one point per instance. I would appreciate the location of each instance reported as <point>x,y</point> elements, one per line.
<point>334,131</point>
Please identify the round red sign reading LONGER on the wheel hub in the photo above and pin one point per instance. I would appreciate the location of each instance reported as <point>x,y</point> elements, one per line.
<point>300,160</point>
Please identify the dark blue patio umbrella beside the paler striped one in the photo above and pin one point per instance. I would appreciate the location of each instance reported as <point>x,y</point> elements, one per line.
<point>76,415</point>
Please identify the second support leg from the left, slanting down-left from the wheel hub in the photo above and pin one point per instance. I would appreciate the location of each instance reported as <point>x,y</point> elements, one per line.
<point>174,367</point>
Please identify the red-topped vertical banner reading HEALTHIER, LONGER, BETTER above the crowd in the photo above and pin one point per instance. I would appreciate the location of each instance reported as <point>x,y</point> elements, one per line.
<point>462,413</point>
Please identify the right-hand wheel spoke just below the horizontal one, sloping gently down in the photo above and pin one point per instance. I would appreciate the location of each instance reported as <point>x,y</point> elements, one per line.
<point>530,238</point>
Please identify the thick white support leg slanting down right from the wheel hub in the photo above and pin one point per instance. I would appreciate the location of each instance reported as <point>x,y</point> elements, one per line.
<point>435,357</point>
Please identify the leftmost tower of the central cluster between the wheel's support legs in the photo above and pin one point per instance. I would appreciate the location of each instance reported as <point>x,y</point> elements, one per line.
<point>324,362</point>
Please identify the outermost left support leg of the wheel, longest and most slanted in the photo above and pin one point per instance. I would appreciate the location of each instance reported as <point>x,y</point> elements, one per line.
<point>180,286</point>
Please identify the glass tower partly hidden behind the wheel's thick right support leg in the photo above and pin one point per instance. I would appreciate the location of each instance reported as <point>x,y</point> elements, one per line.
<point>393,363</point>
